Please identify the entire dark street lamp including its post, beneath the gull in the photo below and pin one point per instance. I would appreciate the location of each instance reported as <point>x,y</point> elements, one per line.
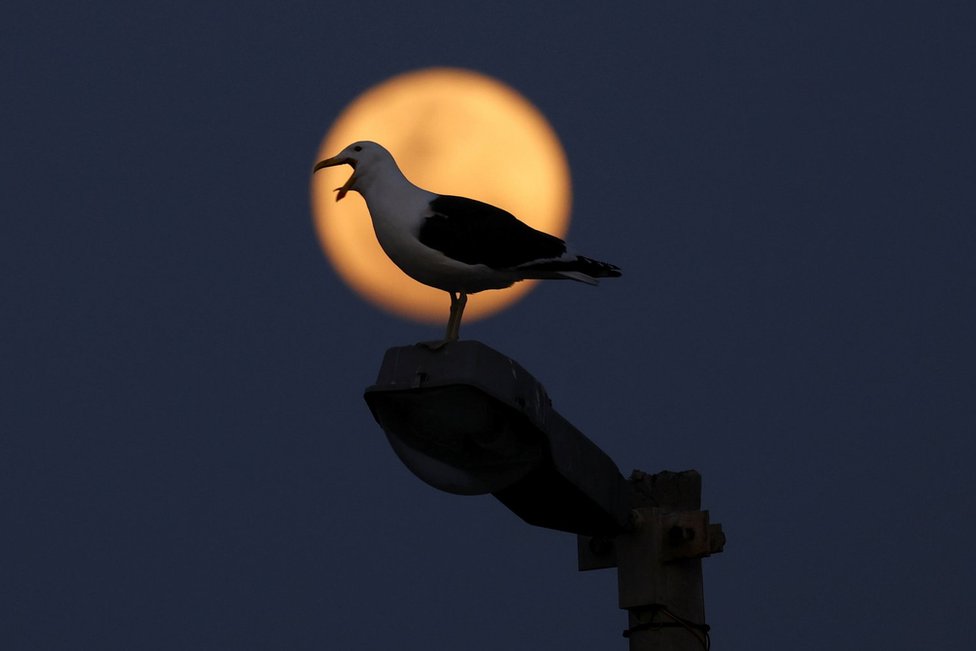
<point>468,420</point>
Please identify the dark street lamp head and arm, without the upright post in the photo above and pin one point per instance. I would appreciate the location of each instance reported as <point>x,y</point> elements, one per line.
<point>468,420</point>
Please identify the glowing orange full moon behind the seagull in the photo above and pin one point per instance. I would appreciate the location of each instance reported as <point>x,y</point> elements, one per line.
<point>452,132</point>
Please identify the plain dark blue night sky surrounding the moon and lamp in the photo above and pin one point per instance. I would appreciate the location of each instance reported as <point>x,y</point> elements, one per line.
<point>186,461</point>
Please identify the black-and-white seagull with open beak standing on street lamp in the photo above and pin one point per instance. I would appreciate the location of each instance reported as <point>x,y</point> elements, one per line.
<point>459,245</point>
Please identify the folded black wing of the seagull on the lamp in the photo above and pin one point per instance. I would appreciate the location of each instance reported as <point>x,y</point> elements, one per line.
<point>478,233</point>
